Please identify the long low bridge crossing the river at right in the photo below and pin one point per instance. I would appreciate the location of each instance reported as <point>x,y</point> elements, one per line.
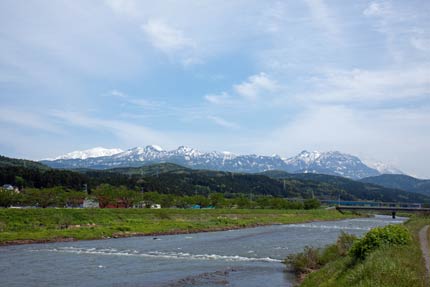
<point>390,207</point>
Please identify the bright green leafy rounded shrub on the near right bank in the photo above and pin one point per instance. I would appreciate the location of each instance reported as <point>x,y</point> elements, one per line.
<point>380,236</point>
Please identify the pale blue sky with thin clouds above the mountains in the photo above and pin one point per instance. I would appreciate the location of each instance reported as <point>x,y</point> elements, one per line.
<point>260,77</point>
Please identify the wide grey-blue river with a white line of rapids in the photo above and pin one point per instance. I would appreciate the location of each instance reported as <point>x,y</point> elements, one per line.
<point>246,257</point>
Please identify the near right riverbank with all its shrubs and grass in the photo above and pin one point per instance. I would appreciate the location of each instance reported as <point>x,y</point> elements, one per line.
<point>385,256</point>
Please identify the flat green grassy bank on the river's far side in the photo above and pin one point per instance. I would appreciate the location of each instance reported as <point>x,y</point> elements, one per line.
<point>23,226</point>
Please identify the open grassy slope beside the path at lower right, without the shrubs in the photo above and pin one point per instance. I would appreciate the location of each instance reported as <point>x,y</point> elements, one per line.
<point>393,266</point>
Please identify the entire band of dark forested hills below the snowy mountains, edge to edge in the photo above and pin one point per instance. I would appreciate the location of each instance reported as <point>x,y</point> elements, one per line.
<point>175,179</point>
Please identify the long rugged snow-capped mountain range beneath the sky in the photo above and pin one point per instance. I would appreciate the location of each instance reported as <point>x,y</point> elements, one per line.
<point>333,162</point>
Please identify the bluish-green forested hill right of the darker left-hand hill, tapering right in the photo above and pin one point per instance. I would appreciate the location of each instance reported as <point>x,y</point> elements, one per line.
<point>173,178</point>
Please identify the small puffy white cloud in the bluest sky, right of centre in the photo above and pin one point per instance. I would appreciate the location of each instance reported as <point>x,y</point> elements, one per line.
<point>256,86</point>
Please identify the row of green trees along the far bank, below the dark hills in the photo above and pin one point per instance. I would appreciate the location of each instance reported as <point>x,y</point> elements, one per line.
<point>120,196</point>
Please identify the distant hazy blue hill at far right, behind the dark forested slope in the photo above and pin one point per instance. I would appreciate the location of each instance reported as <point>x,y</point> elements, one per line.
<point>401,181</point>
